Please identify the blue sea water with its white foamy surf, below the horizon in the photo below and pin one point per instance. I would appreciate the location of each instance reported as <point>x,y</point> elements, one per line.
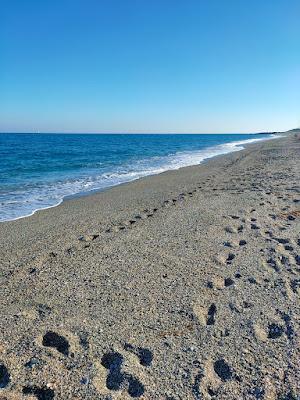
<point>38,171</point>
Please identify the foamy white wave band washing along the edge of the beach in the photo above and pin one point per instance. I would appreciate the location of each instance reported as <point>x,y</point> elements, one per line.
<point>24,203</point>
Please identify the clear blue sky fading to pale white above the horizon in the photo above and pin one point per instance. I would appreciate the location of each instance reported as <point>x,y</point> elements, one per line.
<point>149,65</point>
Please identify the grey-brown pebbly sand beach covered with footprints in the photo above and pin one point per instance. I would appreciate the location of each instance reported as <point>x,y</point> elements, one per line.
<point>183,285</point>
